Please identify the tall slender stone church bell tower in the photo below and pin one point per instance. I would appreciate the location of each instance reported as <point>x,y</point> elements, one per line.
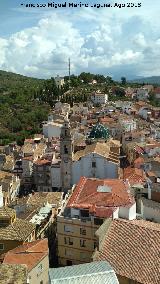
<point>66,152</point>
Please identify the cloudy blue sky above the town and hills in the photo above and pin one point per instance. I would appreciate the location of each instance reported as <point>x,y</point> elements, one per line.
<point>111,41</point>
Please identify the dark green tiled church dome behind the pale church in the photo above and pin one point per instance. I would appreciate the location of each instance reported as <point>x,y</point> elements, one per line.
<point>99,131</point>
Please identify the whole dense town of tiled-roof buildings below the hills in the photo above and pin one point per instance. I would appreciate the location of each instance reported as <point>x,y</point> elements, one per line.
<point>80,201</point>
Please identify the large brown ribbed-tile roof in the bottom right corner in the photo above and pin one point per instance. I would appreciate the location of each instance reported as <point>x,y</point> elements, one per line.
<point>133,250</point>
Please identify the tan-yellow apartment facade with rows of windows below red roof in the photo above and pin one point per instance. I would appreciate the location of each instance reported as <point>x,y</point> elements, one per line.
<point>76,239</point>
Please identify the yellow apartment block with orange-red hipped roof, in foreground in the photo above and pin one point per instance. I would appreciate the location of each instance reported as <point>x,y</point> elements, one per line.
<point>90,203</point>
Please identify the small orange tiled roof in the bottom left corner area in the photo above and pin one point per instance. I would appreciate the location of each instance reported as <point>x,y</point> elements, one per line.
<point>29,254</point>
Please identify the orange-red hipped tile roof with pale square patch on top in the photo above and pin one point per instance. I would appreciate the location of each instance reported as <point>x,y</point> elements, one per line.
<point>100,196</point>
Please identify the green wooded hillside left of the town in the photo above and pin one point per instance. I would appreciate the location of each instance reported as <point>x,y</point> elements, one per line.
<point>21,111</point>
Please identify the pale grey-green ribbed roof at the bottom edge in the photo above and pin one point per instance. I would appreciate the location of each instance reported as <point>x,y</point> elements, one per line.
<point>97,272</point>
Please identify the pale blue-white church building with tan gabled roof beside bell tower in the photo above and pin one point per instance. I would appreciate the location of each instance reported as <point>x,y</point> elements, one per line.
<point>97,161</point>
